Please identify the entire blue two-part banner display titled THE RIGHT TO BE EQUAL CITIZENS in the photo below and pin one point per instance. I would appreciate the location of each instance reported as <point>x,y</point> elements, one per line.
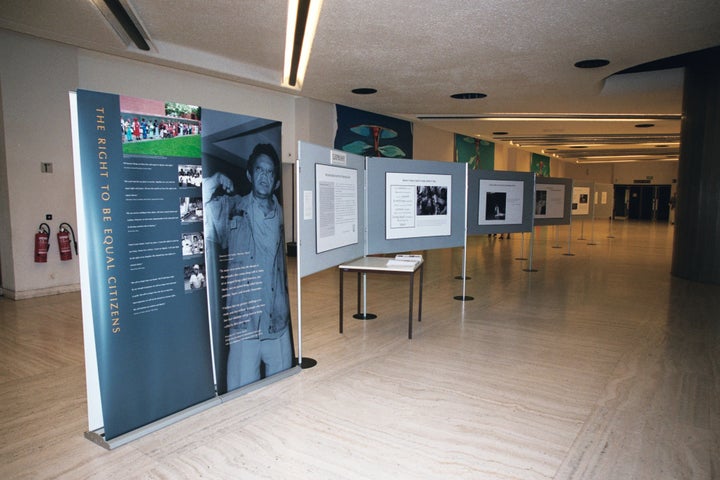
<point>156,294</point>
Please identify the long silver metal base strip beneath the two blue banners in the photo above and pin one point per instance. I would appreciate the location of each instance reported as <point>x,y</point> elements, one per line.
<point>98,436</point>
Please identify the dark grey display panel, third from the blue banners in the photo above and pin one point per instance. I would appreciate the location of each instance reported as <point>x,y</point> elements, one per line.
<point>500,201</point>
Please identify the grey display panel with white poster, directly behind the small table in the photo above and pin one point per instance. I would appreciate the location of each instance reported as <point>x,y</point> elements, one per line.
<point>401,219</point>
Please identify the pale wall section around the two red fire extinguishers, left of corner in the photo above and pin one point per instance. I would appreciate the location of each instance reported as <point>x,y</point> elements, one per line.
<point>35,78</point>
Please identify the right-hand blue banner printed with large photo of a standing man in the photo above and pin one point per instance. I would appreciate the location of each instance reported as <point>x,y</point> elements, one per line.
<point>248,293</point>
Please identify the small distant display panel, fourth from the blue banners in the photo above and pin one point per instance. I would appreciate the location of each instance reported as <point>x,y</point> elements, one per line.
<point>553,201</point>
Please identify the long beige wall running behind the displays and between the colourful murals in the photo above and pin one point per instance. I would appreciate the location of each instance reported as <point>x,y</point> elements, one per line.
<point>35,127</point>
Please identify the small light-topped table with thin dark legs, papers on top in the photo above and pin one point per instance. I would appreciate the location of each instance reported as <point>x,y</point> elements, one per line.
<point>383,265</point>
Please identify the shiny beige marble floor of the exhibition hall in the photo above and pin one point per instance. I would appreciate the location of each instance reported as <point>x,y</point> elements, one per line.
<point>599,365</point>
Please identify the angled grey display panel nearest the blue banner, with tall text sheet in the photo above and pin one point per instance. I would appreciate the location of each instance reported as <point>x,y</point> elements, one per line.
<point>326,210</point>
